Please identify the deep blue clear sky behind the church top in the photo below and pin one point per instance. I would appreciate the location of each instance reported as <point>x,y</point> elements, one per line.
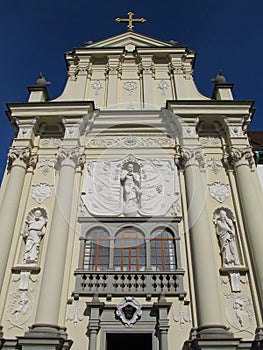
<point>226,34</point>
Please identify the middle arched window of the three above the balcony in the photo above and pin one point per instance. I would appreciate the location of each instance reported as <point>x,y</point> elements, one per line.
<point>129,250</point>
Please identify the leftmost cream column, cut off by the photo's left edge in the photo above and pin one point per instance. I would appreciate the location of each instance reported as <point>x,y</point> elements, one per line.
<point>18,161</point>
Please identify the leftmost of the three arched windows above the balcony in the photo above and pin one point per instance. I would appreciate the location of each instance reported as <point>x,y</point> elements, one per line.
<point>96,250</point>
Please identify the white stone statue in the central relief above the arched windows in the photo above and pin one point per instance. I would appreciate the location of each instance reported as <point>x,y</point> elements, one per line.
<point>130,180</point>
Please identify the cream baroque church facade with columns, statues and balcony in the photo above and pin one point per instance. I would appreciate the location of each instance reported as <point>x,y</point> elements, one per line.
<point>131,209</point>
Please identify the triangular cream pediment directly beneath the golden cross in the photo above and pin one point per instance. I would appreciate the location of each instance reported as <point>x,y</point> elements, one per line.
<point>130,38</point>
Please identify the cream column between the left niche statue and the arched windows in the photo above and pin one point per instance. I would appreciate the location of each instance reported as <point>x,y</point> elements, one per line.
<point>53,272</point>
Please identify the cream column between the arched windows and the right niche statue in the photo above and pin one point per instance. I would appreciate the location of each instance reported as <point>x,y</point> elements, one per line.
<point>209,313</point>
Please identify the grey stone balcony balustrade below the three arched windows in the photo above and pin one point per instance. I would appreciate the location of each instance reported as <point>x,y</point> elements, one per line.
<point>129,282</point>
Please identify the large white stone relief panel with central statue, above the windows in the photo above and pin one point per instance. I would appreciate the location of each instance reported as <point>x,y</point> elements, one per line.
<point>130,186</point>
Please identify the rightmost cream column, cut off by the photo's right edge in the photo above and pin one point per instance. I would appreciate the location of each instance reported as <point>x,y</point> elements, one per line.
<point>252,210</point>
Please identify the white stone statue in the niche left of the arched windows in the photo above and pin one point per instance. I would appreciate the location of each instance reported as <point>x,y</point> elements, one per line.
<point>36,226</point>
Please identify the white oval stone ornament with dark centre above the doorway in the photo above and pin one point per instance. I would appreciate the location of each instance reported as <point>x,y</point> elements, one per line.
<point>129,310</point>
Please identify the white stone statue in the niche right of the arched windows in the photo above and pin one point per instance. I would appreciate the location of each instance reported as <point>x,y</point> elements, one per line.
<point>225,230</point>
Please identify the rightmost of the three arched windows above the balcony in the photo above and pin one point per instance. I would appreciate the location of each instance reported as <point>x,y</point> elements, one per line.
<point>163,251</point>
